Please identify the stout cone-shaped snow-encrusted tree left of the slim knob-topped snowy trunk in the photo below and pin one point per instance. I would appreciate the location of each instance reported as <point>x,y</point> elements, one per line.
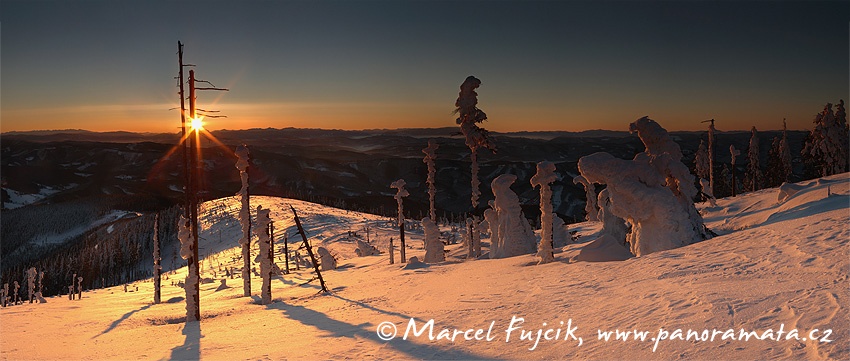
<point>515,236</point>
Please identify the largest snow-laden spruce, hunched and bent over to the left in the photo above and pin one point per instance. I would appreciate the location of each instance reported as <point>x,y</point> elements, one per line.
<point>653,192</point>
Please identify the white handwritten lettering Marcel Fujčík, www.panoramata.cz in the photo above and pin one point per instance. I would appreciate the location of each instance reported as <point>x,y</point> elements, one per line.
<point>566,331</point>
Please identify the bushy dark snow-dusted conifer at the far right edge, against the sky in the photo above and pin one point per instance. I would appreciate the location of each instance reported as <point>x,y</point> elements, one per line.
<point>828,142</point>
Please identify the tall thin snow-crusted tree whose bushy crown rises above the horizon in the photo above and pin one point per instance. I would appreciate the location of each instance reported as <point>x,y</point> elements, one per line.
<point>468,118</point>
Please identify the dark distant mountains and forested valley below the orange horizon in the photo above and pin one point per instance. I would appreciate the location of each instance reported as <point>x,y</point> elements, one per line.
<point>336,167</point>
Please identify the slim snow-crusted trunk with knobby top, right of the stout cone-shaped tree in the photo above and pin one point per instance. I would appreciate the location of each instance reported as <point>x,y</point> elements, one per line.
<point>545,175</point>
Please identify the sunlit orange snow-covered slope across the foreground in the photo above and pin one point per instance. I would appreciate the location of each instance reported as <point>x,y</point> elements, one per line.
<point>775,266</point>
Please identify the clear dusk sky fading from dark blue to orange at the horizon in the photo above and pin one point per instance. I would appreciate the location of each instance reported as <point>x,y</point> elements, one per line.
<point>553,65</point>
